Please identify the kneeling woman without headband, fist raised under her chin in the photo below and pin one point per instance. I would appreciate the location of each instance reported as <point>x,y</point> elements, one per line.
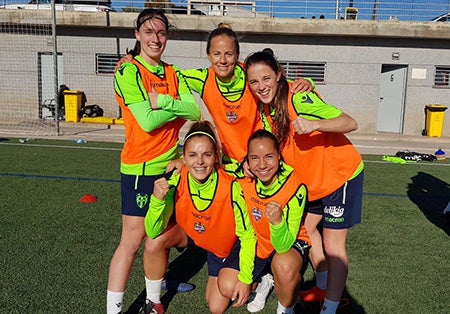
<point>275,200</point>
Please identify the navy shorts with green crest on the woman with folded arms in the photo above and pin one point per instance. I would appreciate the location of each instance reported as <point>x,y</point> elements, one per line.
<point>136,192</point>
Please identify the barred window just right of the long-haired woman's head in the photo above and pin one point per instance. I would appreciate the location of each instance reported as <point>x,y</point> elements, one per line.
<point>313,70</point>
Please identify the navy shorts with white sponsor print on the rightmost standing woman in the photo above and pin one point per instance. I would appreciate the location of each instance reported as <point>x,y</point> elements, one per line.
<point>341,209</point>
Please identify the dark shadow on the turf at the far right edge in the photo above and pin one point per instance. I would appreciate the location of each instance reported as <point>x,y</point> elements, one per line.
<point>431,195</point>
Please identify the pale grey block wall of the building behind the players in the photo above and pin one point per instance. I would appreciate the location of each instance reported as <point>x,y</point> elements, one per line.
<point>354,52</point>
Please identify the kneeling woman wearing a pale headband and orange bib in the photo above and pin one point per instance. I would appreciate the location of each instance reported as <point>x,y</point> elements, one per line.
<point>209,209</point>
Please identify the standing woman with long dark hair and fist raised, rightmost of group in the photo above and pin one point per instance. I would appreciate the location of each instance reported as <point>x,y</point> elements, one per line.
<point>311,133</point>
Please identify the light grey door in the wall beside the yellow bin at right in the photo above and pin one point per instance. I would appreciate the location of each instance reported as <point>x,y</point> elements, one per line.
<point>392,98</point>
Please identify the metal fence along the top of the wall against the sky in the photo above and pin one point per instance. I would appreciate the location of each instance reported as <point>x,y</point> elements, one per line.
<point>402,10</point>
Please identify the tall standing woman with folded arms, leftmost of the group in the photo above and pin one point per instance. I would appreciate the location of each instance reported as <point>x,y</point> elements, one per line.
<point>155,103</point>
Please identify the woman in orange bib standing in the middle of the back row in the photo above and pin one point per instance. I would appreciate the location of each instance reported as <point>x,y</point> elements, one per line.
<point>222,87</point>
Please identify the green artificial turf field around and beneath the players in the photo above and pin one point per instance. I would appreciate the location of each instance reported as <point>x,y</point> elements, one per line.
<point>55,251</point>
